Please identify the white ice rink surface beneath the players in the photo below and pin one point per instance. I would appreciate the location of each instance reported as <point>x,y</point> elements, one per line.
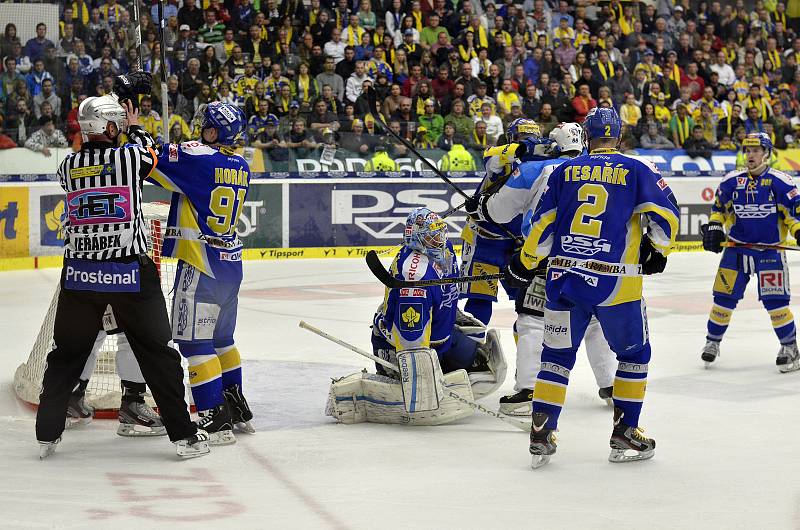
<point>727,454</point>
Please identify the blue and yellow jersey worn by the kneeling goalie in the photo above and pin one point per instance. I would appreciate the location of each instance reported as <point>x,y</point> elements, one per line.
<point>419,317</point>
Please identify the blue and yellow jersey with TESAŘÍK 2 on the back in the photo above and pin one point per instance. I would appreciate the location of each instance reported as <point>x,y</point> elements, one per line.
<point>590,220</point>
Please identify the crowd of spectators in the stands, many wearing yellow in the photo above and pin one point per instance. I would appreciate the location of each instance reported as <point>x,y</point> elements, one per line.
<point>697,75</point>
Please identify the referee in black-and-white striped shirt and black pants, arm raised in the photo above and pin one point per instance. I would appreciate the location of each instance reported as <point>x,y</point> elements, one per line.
<point>106,263</point>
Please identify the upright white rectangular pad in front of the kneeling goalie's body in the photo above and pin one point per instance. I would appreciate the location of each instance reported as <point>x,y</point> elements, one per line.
<point>420,378</point>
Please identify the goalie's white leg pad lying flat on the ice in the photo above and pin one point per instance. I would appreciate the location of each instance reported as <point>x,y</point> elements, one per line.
<point>361,397</point>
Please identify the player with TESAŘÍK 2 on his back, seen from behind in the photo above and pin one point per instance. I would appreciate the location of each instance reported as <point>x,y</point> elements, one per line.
<point>590,223</point>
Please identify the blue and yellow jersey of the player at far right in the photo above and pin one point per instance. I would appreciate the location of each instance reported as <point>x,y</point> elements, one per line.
<point>757,209</point>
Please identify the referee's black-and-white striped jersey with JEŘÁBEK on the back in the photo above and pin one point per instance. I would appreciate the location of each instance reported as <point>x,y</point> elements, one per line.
<point>103,184</point>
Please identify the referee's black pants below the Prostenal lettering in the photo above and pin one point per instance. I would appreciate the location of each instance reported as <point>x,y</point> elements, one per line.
<point>143,317</point>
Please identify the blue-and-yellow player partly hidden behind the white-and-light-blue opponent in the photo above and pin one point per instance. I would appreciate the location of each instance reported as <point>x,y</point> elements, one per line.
<point>486,246</point>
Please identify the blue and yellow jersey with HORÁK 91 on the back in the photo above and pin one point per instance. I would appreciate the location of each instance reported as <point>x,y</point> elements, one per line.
<point>210,188</point>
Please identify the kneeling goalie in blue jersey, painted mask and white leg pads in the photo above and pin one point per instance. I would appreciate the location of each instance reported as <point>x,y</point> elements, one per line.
<point>415,328</point>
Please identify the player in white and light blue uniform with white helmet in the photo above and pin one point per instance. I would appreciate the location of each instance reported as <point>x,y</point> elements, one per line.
<point>519,196</point>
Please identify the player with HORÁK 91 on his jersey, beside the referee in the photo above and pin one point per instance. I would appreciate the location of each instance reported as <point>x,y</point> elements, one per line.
<point>210,184</point>
